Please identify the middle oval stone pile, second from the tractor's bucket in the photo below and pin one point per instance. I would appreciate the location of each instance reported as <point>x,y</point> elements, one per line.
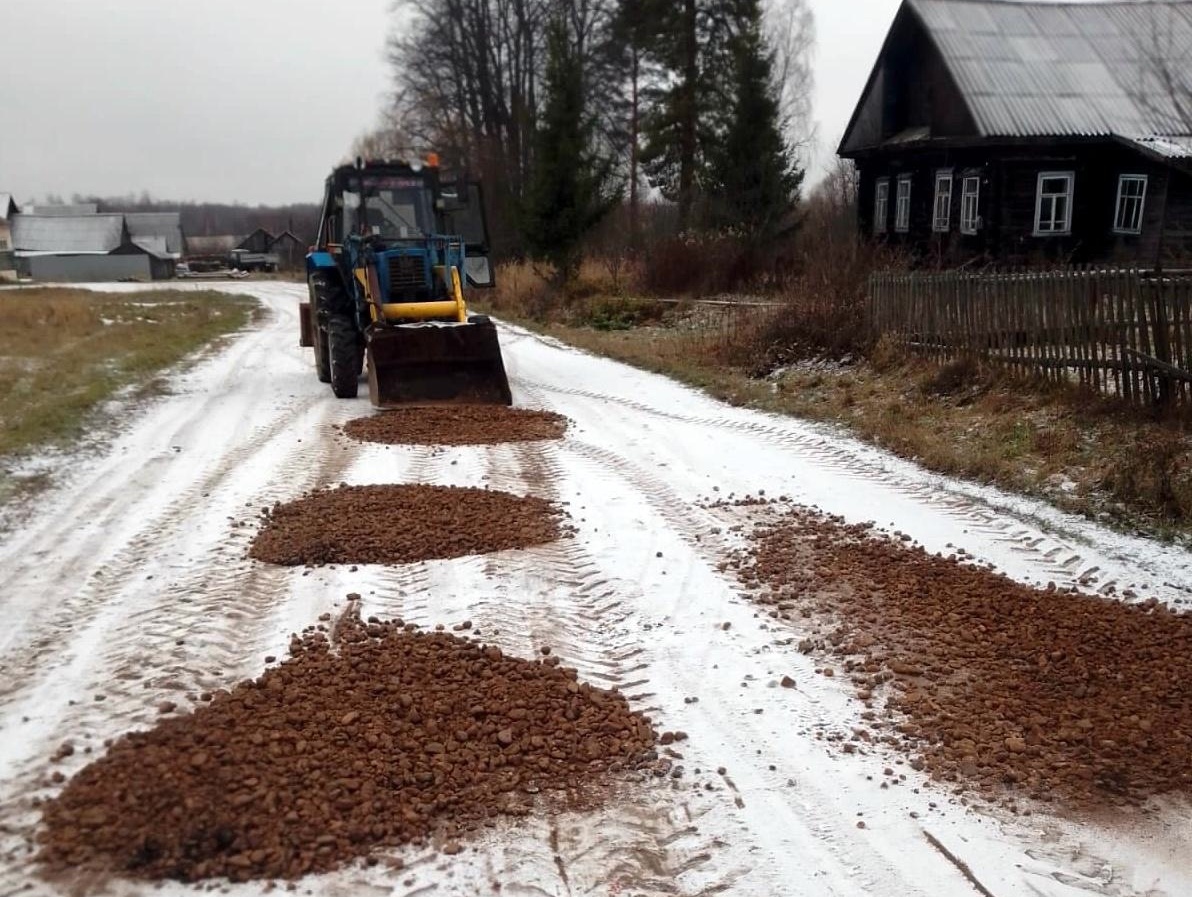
<point>402,525</point>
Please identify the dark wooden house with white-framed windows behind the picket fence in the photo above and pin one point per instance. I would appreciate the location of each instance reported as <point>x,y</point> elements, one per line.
<point>1030,133</point>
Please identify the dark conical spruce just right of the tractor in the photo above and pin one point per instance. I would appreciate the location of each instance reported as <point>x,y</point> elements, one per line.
<point>572,184</point>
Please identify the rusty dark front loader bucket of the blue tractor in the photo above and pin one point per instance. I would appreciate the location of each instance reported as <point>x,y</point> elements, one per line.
<point>437,364</point>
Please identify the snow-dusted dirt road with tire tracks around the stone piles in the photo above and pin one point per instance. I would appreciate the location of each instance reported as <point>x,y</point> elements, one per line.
<point>132,587</point>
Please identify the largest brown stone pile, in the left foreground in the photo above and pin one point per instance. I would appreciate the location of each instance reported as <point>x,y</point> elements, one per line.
<point>384,738</point>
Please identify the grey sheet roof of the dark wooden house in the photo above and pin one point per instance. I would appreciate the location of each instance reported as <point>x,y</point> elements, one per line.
<point>1035,70</point>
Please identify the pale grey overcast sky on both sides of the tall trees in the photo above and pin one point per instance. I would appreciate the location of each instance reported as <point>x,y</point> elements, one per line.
<point>250,101</point>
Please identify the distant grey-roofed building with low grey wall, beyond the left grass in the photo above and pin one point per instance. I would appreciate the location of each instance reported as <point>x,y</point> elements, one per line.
<point>89,248</point>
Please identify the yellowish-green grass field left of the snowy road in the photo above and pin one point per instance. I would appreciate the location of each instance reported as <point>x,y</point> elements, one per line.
<point>65,352</point>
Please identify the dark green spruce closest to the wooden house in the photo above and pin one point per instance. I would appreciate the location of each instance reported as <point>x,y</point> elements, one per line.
<point>753,180</point>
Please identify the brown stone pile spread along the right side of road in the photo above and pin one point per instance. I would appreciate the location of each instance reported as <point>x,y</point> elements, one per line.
<point>994,684</point>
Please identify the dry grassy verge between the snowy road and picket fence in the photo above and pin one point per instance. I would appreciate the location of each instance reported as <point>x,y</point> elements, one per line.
<point>1079,452</point>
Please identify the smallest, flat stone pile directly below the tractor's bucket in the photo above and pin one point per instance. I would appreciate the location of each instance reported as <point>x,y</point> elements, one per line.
<point>458,426</point>
